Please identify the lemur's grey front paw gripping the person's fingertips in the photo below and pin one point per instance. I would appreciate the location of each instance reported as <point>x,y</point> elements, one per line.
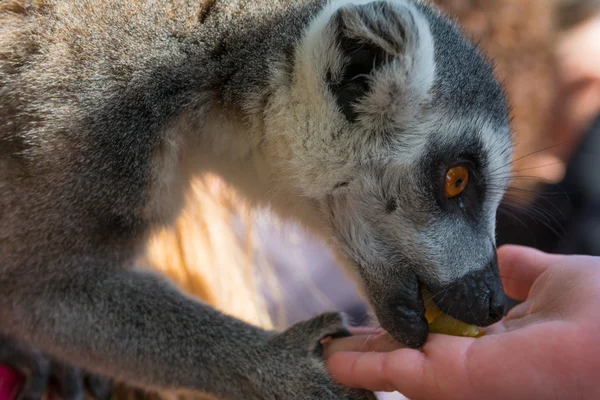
<point>296,356</point>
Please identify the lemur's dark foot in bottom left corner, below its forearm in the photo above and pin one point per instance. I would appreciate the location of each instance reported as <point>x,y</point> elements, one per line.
<point>41,373</point>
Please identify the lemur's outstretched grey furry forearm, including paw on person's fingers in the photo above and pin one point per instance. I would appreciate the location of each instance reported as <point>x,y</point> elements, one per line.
<point>137,327</point>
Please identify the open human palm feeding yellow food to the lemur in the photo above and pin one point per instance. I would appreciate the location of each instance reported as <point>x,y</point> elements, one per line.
<point>546,348</point>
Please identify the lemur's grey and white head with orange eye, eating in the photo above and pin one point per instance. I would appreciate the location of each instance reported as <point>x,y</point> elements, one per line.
<point>399,138</point>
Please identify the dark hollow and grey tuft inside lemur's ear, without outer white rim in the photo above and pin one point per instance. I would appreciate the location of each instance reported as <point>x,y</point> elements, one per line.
<point>369,36</point>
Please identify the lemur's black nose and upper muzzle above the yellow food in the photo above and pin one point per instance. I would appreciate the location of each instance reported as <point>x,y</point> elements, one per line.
<point>476,298</point>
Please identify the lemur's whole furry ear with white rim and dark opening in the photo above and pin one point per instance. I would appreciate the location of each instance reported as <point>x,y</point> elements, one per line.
<point>372,38</point>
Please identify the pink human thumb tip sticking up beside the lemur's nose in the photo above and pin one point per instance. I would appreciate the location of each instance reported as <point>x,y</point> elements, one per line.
<point>520,267</point>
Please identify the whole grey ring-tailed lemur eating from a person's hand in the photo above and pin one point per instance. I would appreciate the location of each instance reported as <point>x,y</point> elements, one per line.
<point>374,123</point>
